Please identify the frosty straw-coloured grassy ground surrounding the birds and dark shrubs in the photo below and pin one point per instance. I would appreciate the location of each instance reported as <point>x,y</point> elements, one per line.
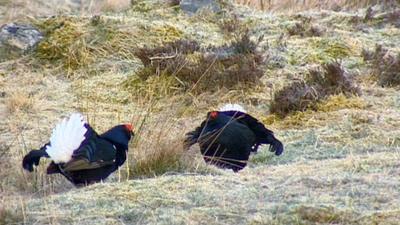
<point>340,166</point>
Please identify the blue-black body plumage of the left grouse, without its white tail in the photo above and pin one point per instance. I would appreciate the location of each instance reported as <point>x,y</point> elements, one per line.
<point>94,160</point>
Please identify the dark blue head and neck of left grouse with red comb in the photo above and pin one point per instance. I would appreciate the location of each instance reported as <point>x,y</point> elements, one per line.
<point>119,135</point>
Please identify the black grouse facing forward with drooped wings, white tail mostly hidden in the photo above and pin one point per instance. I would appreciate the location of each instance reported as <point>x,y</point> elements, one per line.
<point>228,136</point>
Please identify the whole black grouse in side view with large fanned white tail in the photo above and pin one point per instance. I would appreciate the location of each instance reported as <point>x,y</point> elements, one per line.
<point>80,154</point>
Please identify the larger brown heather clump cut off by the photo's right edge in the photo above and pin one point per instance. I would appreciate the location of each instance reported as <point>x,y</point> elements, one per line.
<point>385,65</point>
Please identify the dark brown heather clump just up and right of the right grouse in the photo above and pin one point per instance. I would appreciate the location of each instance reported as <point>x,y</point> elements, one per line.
<point>320,83</point>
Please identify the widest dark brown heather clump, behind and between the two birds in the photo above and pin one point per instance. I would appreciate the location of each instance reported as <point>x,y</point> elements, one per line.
<point>196,70</point>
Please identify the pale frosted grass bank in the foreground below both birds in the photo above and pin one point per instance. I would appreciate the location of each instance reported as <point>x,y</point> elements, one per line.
<point>353,190</point>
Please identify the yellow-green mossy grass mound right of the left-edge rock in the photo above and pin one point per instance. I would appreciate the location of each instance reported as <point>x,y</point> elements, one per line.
<point>76,43</point>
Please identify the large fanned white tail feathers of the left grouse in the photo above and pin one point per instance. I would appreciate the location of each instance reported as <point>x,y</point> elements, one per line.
<point>66,138</point>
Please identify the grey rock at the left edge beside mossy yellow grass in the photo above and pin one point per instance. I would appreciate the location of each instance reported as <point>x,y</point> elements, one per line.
<point>16,39</point>
